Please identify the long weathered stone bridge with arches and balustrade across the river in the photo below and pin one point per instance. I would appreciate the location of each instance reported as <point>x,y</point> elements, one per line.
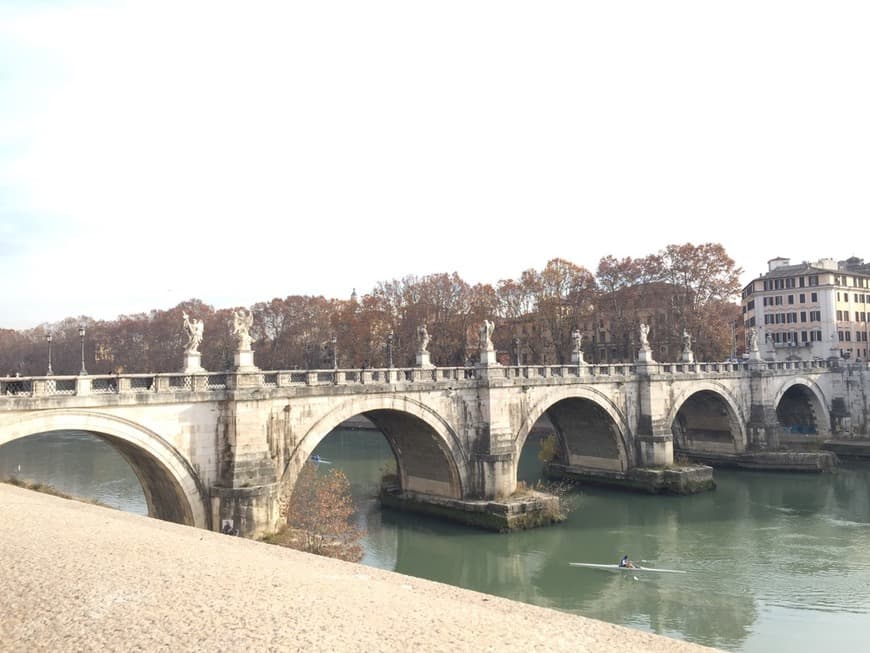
<point>213,446</point>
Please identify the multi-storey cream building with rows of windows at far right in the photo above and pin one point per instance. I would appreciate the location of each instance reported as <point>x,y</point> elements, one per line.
<point>810,310</point>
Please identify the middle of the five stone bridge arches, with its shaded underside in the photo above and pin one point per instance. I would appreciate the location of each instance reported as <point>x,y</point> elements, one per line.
<point>602,445</point>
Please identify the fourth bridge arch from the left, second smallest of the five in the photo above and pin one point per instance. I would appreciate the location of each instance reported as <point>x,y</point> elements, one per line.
<point>684,416</point>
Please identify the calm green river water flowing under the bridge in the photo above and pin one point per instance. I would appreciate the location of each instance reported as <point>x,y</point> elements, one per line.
<point>772,562</point>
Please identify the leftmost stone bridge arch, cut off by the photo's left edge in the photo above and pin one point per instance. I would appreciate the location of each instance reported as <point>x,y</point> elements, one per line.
<point>171,487</point>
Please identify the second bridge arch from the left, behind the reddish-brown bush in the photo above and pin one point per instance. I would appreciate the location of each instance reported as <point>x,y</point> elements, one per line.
<point>429,455</point>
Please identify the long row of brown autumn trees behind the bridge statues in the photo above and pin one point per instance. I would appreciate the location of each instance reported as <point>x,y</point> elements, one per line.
<point>682,287</point>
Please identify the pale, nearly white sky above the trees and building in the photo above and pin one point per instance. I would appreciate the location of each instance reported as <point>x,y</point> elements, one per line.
<point>155,151</point>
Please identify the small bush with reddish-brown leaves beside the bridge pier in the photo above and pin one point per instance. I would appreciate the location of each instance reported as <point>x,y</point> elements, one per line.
<point>320,516</point>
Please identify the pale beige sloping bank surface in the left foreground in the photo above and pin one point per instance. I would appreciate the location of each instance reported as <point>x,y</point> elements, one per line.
<point>79,577</point>
